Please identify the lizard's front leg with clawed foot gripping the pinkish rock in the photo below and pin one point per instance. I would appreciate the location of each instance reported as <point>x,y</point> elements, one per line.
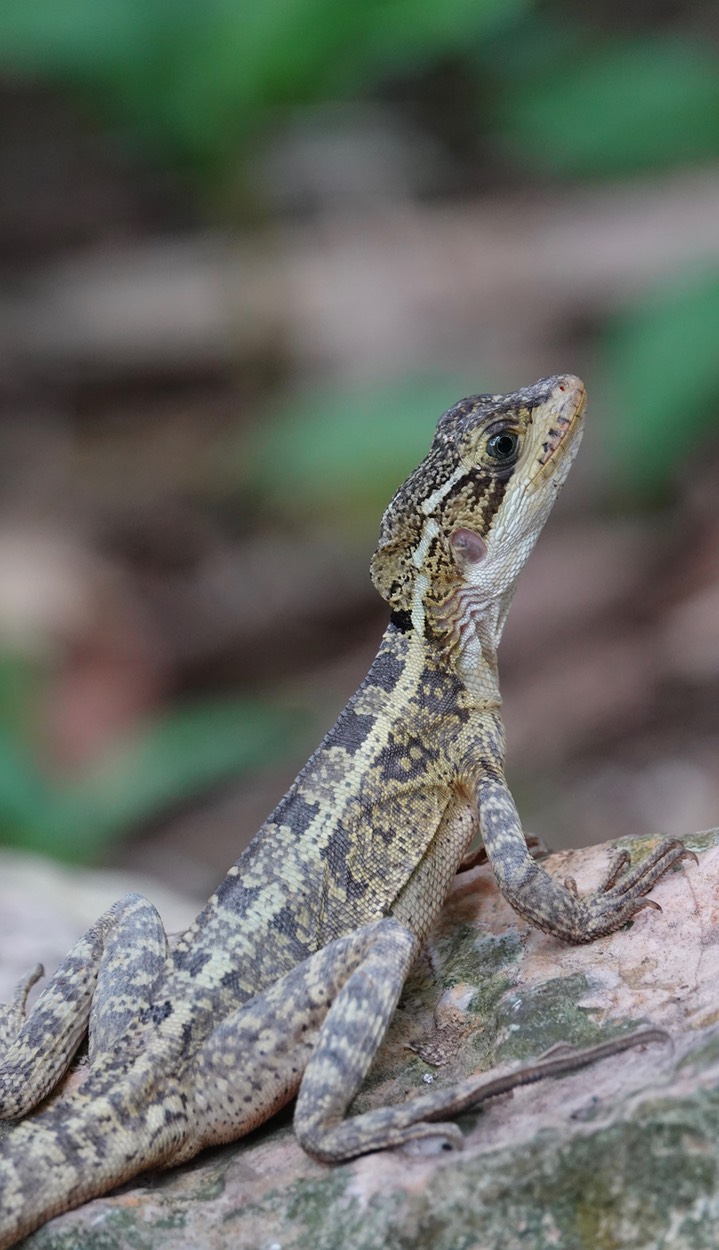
<point>550,904</point>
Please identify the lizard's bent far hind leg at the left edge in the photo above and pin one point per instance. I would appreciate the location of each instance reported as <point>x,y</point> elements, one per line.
<point>99,986</point>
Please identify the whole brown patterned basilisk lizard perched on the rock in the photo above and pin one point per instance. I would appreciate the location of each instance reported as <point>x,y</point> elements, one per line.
<point>286,983</point>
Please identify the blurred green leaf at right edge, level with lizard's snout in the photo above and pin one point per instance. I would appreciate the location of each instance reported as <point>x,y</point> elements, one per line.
<point>663,366</point>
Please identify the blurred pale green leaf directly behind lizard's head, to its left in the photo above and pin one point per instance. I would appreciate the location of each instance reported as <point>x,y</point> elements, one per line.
<point>339,456</point>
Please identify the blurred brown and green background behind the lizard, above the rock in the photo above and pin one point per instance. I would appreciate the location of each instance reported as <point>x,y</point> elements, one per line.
<point>249,254</point>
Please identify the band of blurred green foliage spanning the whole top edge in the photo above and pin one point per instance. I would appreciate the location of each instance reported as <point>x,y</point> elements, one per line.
<point>199,82</point>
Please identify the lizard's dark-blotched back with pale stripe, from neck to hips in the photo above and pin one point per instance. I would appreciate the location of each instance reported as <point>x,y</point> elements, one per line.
<point>376,791</point>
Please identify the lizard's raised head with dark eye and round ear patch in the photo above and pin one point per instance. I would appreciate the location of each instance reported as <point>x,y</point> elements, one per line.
<point>461,528</point>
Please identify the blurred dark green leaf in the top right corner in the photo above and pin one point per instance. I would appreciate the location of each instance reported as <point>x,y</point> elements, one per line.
<point>612,108</point>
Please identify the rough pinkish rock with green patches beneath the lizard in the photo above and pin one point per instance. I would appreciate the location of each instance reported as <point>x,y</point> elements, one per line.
<point>626,1154</point>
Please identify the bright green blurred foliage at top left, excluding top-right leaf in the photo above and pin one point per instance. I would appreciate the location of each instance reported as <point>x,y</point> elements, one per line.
<point>198,81</point>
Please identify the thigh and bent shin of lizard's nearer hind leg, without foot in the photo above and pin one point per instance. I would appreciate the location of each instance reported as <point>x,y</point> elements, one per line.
<point>324,1019</point>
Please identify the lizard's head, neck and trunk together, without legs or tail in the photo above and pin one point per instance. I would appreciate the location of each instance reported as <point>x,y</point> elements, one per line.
<point>398,767</point>
